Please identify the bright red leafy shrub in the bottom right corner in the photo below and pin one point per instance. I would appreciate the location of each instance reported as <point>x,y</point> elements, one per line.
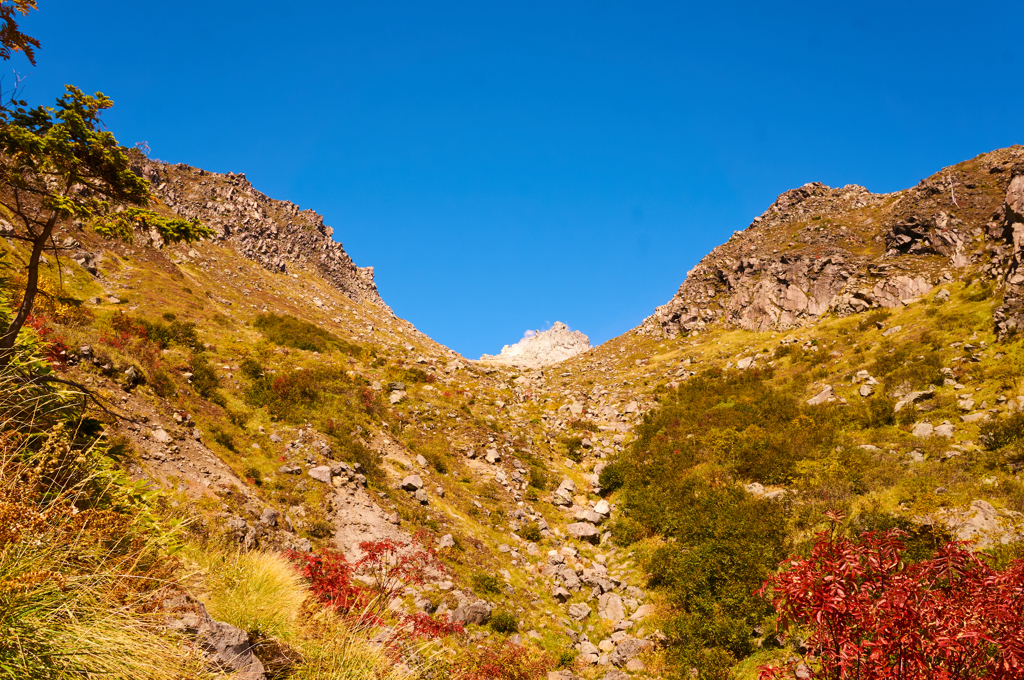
<point>873,617</point>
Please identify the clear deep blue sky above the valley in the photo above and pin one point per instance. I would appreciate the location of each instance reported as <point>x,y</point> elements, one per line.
<point>507,165</point>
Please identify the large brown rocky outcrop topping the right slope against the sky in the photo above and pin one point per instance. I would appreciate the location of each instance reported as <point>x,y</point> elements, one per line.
<point>820,250</point>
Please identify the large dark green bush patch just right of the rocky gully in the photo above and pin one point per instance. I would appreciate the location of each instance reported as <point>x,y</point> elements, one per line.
<point>682,481</point>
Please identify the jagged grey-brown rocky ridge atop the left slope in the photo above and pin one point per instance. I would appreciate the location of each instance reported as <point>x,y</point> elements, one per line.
<point>276,234</point>
